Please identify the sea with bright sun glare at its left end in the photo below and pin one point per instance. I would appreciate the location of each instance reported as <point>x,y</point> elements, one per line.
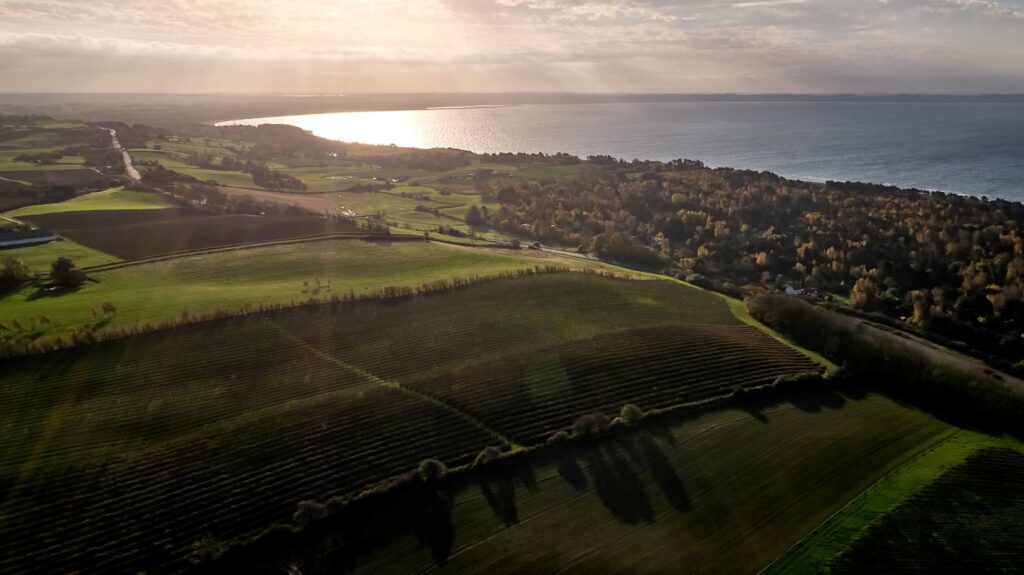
<point>964,148</point>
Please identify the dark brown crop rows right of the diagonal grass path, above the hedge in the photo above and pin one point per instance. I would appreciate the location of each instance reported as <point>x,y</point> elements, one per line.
<point>528,396</point>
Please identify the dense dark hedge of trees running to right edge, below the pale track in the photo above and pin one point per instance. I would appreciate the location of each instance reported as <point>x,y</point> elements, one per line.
<point>901,365</point>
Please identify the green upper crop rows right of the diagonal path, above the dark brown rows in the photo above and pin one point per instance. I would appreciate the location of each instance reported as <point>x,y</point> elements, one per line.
<point>522,315</point>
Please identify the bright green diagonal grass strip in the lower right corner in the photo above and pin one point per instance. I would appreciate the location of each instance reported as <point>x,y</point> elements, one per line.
<point>840,533</point>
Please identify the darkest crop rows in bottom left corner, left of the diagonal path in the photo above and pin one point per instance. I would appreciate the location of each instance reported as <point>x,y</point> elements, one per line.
<point>236,482</point>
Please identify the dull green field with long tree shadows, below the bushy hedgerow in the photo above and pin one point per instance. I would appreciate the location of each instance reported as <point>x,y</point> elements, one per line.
<point>722,494</point>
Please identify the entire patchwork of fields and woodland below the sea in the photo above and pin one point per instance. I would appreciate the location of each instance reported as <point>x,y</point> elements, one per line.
<point>247,349</point>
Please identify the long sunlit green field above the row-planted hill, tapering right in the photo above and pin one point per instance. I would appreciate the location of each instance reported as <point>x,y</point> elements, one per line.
<point>161,291</point>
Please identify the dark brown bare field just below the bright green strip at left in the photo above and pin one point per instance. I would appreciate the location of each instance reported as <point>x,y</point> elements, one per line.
<point>162,232</point>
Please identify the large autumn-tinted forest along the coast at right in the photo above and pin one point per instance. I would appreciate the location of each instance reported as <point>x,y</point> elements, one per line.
<point>949,264</point>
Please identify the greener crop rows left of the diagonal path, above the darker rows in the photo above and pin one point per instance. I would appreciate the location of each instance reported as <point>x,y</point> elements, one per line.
<point>153,387</point>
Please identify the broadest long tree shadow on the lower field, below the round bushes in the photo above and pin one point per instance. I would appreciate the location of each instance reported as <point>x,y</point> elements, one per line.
<point>618,484</point>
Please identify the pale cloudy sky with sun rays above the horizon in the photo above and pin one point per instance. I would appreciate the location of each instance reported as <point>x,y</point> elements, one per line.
<point>372,47</point>
